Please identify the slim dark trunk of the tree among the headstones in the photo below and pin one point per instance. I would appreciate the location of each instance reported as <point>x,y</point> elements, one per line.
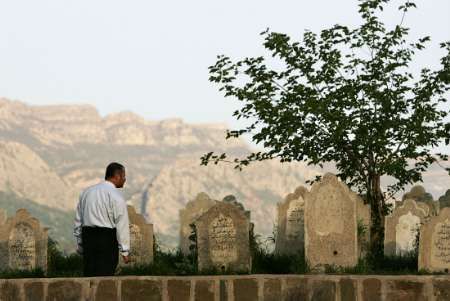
<point>376,200</point>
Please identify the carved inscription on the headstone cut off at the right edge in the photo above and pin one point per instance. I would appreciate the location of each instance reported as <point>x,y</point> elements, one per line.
<point>441,244</point>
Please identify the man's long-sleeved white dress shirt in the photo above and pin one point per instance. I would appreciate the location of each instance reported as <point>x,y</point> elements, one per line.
<point>102,205</point>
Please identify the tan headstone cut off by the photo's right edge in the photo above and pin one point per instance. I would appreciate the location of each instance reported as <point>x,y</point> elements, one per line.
<point>434,246</point>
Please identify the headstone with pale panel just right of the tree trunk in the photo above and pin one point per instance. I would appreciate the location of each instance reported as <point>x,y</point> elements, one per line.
<point>402,226</point>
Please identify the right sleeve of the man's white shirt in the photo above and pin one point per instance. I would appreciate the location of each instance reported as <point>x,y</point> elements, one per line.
<point>122,225</point>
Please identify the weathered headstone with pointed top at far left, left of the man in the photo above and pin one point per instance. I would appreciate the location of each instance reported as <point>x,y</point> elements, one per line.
<point>23,243</point>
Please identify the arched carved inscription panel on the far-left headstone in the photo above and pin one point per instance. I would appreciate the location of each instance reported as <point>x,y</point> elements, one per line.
<point>22,247</point>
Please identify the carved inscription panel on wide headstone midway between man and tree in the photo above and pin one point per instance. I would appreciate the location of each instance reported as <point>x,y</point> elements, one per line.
<point>222,240</point>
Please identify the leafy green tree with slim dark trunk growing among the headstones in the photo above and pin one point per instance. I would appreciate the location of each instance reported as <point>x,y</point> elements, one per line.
<point>346,96</point>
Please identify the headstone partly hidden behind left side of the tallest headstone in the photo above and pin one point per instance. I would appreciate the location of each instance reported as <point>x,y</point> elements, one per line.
<point>290,238</point>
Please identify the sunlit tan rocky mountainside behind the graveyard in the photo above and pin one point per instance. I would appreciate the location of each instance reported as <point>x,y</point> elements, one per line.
<point>48,154</point>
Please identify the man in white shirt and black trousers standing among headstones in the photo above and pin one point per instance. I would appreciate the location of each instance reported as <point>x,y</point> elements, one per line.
<point>101,224</point>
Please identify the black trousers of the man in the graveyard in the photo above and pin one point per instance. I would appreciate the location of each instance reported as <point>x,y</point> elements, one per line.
<point>100,251</point>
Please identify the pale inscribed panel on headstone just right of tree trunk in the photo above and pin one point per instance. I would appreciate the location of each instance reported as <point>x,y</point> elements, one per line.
<point>406,233</point>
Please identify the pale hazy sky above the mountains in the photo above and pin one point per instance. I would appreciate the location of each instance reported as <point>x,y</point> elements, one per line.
<point>151,57</point>
